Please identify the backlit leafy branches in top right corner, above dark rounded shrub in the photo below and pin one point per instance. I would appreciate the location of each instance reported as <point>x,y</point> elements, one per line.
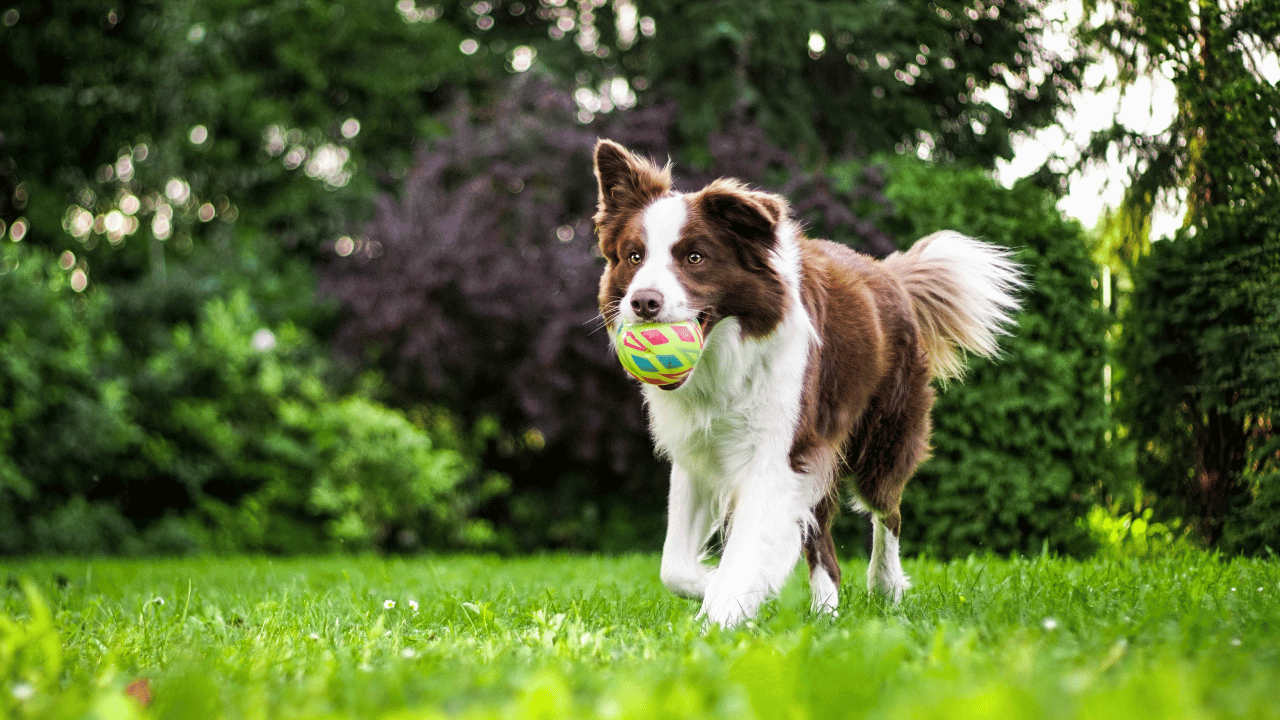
<point>1222,145</point>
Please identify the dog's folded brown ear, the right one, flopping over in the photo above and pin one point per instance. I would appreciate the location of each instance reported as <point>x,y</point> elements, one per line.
<point>752,218</point>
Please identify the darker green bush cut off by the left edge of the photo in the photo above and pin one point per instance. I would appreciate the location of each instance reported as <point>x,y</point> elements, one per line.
<point>61,416</point>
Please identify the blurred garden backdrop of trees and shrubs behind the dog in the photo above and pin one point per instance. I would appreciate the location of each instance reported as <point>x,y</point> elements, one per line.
<point>309,276</point>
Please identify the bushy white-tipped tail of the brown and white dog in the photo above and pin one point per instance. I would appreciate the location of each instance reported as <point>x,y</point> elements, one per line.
<point>963,293</point>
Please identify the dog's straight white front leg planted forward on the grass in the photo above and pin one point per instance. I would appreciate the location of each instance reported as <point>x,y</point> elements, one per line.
<point>764,546</point>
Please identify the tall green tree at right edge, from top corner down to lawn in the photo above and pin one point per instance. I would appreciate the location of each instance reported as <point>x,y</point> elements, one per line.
<point>1197,353</point>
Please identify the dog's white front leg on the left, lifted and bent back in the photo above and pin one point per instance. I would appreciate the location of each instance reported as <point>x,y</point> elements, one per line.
<point>689,527</point>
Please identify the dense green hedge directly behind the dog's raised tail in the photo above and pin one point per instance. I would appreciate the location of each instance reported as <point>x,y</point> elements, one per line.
<point>1020,446</point>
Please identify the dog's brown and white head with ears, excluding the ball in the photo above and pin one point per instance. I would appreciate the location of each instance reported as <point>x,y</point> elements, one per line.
<point>675,257</point>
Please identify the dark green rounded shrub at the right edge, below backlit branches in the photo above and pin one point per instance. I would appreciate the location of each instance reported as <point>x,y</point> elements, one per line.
<point>1201,350</point>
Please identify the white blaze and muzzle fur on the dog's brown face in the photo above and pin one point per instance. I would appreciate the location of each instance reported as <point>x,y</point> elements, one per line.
<point>662,221</point>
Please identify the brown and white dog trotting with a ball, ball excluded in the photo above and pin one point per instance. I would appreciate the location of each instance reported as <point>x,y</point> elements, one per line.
<point>817,364</point>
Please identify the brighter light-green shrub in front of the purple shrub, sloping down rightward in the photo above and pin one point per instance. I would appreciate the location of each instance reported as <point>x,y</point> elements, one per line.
<point>275,462</point>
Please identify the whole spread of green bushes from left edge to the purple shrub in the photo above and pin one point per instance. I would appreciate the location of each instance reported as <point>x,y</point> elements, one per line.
<point>222,435</point>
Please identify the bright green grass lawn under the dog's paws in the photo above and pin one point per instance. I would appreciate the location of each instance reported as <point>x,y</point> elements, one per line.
<point>592,637</point>
